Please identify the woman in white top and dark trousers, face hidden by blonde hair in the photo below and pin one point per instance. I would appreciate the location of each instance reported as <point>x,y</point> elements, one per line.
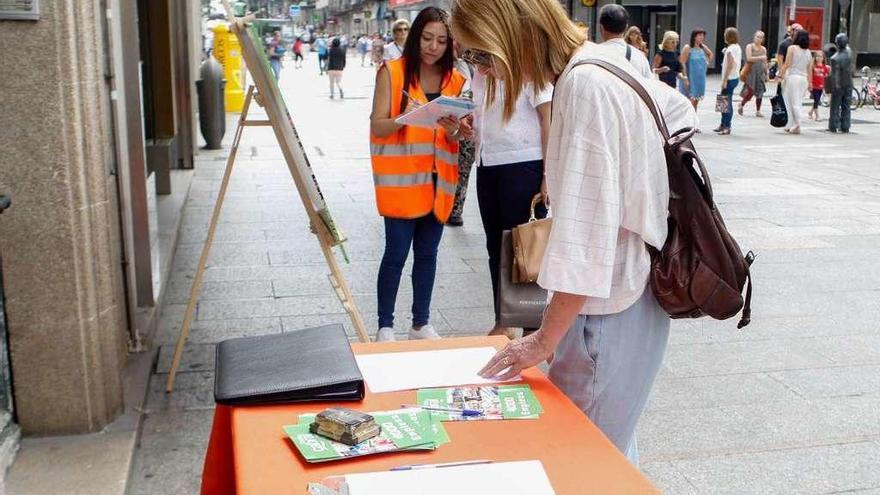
<point>509,158</point>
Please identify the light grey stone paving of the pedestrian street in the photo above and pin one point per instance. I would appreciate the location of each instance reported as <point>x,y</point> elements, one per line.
<point>788,405</point>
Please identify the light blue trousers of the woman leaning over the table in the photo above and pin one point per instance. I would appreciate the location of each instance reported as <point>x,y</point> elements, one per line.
<point>607,364</point>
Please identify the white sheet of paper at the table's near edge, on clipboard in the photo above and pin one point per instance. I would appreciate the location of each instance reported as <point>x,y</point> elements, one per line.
<point>509,478</point>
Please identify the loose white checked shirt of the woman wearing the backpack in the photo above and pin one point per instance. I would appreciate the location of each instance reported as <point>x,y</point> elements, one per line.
<point>607,180</point>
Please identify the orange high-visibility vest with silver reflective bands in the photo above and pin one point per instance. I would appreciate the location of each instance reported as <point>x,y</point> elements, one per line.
<point>405,162</point>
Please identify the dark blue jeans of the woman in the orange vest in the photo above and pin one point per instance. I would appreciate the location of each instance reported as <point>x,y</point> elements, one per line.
<point>423,234</point>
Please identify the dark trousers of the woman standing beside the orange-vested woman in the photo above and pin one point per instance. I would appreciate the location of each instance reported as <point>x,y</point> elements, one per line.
<point>505,193</point>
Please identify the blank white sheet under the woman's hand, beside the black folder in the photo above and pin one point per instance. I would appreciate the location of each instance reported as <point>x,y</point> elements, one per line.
<point>394,371</point>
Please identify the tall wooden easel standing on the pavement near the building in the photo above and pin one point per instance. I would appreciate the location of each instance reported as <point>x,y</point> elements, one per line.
<point>295,156</point>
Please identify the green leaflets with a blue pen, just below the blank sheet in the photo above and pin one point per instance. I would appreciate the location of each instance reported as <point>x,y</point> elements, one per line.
<point>492,402</point>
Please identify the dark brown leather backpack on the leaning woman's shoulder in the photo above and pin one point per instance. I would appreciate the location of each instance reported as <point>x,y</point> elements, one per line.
<point>701,270</point>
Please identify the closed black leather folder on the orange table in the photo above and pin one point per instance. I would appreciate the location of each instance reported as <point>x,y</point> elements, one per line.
<point>314,364</point>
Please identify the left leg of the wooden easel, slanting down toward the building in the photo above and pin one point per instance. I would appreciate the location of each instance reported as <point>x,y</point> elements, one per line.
<point>206,249</point>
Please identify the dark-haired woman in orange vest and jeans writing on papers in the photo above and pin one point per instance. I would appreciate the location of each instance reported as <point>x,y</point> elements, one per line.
<point>415,169</point>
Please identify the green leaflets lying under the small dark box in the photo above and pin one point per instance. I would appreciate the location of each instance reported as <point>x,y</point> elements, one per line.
<point>402,429</point>
